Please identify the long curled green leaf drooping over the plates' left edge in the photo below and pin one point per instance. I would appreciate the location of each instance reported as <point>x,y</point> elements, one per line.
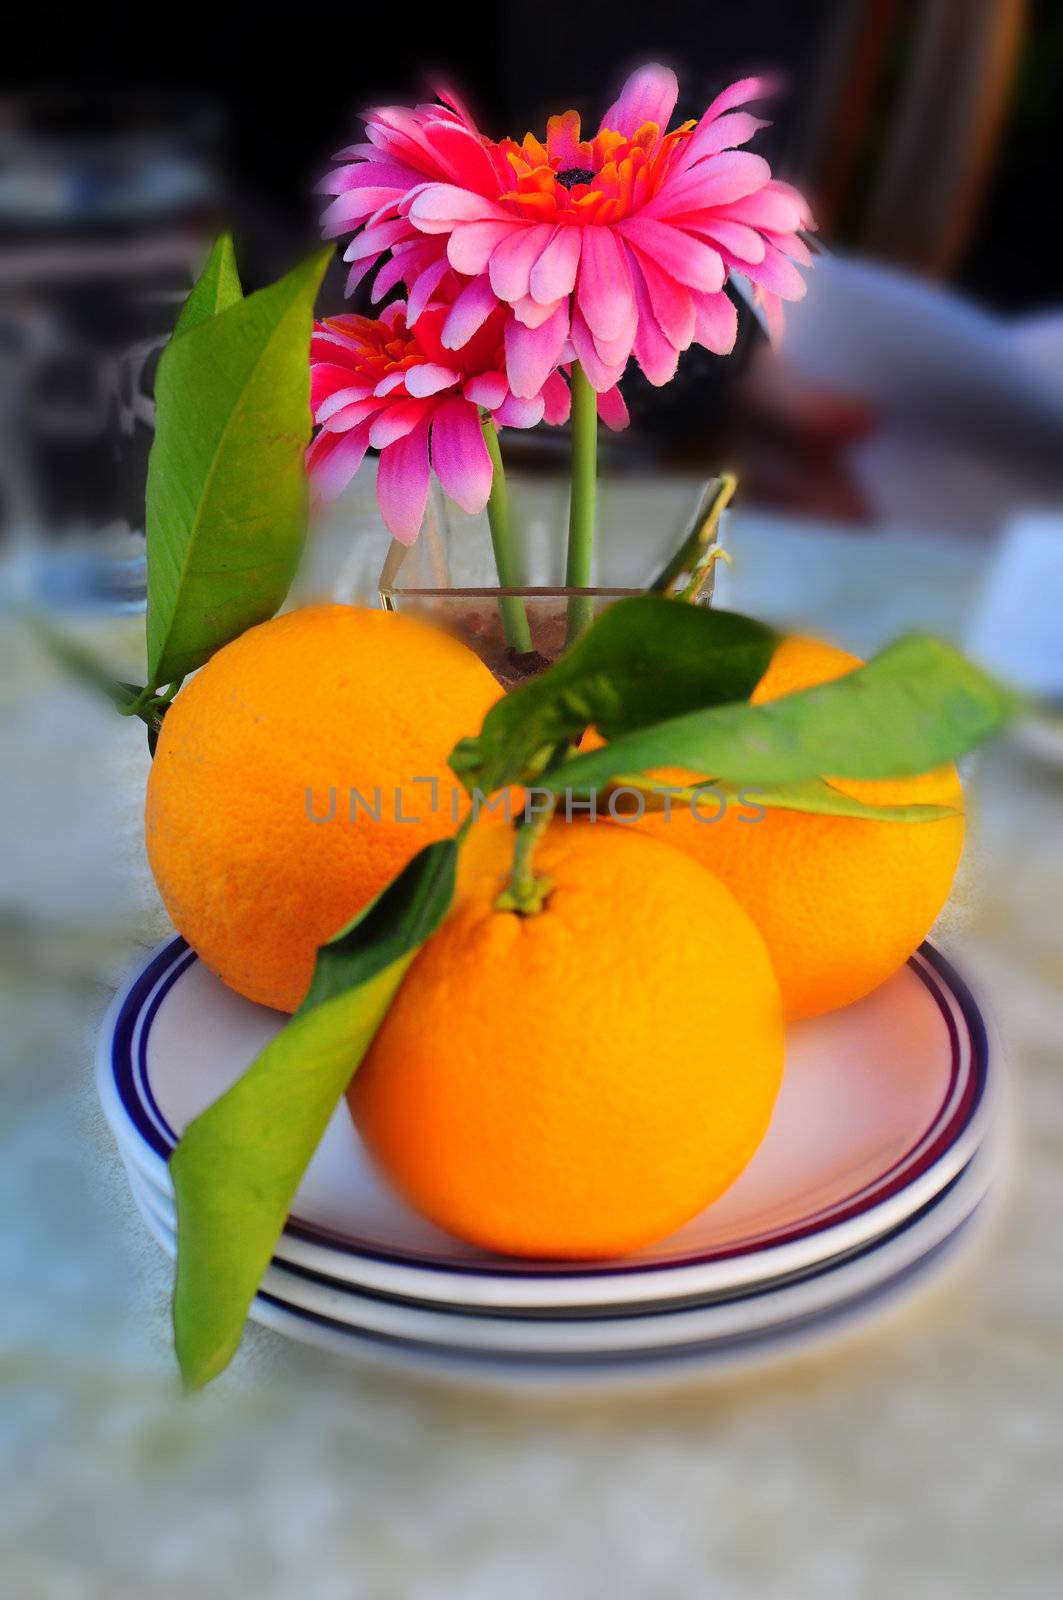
<point>239,1164</point>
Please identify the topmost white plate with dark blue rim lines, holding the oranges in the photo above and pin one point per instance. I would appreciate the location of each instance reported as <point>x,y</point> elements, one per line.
<point>883,1105</point>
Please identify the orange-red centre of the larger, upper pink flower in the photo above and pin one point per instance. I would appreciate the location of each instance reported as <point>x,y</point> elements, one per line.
<point>579,182</point>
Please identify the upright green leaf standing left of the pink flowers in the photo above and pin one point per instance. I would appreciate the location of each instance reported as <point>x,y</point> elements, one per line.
<point>227,486</point>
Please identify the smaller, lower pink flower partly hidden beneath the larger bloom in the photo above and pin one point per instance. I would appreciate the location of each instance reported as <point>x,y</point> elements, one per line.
<point>380,383</point>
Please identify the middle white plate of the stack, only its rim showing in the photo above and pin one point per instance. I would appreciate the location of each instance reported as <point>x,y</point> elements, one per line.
<point>832,1286</point>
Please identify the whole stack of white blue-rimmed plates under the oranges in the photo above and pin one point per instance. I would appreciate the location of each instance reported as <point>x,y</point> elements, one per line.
<point>873,1177</point>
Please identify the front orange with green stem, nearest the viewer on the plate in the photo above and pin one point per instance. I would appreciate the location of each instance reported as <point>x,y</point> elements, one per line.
<point>580,1082</point>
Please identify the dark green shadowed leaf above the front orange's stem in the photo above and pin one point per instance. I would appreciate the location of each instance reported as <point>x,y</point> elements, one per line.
<point>641,658</point>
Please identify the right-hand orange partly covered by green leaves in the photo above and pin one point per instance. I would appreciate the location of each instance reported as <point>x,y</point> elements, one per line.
<point>841,902</point>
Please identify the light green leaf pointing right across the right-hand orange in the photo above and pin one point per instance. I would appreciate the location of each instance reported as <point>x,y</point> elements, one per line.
<point>913,708</point>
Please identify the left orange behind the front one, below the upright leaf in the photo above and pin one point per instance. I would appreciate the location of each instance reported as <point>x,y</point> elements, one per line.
<point>324,700</point>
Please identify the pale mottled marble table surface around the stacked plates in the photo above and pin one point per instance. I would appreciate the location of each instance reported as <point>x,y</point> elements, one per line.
<point>926,1460</point>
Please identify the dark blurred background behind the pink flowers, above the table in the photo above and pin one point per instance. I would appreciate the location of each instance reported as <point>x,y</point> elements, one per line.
<point>923,130</point>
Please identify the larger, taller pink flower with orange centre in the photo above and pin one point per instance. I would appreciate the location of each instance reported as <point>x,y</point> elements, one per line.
<point>603,247</point>
